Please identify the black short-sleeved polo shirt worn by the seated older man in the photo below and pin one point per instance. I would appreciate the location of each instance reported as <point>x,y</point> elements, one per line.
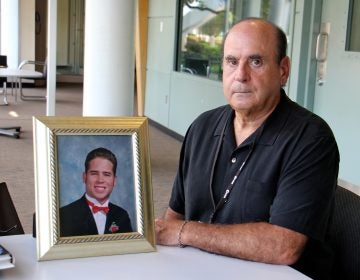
<point>288,180</point>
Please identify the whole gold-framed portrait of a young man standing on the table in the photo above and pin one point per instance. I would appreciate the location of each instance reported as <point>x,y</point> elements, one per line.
<point>93,192</point>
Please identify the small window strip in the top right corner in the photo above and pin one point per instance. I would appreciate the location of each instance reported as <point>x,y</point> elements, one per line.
<point>352,36</point>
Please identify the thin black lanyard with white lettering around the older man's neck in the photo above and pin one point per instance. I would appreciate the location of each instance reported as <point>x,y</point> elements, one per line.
<point>230,186</point>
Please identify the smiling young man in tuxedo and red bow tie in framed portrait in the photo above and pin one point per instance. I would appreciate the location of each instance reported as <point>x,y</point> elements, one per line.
<point>93,213</point>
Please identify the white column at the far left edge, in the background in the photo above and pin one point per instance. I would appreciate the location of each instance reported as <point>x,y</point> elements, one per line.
<point>10,18</point>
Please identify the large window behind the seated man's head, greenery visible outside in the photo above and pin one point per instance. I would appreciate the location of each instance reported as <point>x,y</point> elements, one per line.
<point>204,23</point>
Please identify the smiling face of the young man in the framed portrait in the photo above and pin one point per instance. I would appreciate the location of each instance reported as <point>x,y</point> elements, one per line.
<point>99,179</point>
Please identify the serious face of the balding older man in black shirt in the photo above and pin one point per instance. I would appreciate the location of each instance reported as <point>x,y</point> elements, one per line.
<point>252,77</point>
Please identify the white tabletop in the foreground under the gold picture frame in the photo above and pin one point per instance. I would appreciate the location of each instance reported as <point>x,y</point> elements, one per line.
<point>167,263</point>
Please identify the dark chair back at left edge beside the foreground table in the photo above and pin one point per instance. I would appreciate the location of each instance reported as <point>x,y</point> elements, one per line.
<point>9,219</point>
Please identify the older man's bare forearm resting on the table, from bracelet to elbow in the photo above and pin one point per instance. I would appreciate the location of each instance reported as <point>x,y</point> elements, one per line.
<point>261,242</point>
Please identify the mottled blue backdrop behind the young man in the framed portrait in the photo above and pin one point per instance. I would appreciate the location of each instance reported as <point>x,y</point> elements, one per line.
<point>72,152</point>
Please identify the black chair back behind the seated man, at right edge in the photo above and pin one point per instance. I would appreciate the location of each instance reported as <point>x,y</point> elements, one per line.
<point>345,235</point>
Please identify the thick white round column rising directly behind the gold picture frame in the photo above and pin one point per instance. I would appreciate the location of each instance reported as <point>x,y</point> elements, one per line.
<point>109,58</point>
